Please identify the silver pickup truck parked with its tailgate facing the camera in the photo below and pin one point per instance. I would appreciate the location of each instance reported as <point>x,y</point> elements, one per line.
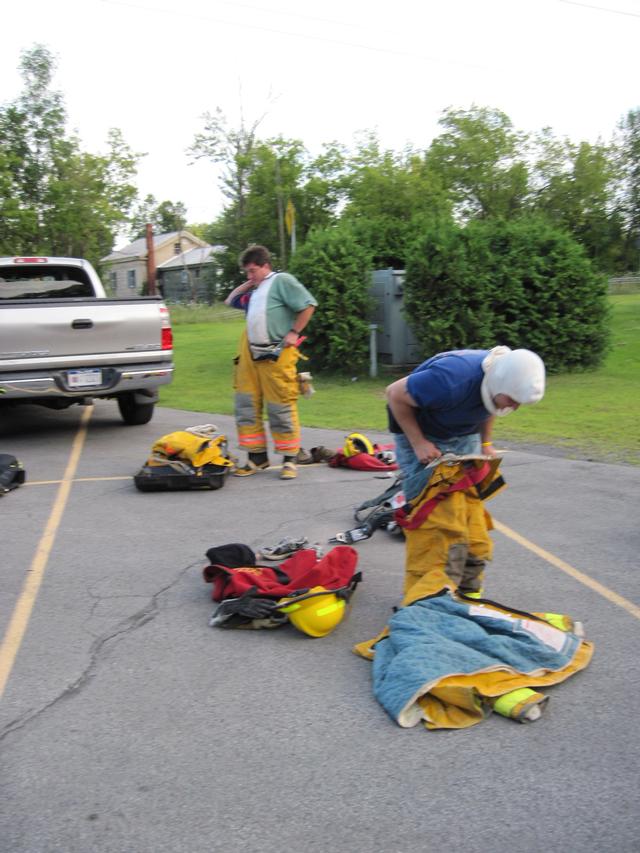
<point>63,341</point>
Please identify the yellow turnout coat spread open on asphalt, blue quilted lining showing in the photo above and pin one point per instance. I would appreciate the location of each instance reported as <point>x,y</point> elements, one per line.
<point>448,662</point>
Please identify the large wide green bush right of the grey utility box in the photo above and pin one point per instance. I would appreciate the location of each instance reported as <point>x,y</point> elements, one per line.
<point>522,283</point>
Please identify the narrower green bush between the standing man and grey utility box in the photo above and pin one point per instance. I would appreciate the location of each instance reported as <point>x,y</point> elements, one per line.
<point>336,268</point>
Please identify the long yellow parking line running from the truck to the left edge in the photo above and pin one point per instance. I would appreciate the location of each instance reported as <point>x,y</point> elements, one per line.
<point>22,611</point>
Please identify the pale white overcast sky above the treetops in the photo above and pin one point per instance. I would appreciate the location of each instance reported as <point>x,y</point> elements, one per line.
<point>322,71</point>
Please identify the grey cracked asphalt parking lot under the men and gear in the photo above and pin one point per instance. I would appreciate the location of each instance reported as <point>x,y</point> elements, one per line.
<point>128,724</point>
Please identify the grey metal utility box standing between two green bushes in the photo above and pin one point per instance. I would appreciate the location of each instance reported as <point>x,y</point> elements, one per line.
<point>396,343</point>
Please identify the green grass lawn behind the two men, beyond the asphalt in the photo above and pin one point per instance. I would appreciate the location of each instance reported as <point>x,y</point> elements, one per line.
<point>595,412</point>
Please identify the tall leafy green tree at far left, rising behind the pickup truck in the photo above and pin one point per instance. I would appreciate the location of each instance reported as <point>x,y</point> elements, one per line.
<point>54,197</point>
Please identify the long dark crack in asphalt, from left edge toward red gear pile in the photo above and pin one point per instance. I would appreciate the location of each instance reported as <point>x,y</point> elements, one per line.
<point>124,628</point>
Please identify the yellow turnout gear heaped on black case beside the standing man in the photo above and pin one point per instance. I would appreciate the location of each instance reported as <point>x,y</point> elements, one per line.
<point>194,458</point>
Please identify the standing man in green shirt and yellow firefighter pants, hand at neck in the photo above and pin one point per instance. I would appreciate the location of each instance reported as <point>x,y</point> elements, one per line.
<point>278,308</point>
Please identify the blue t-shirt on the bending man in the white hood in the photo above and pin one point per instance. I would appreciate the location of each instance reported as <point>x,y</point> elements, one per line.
<point>446,388</point>
